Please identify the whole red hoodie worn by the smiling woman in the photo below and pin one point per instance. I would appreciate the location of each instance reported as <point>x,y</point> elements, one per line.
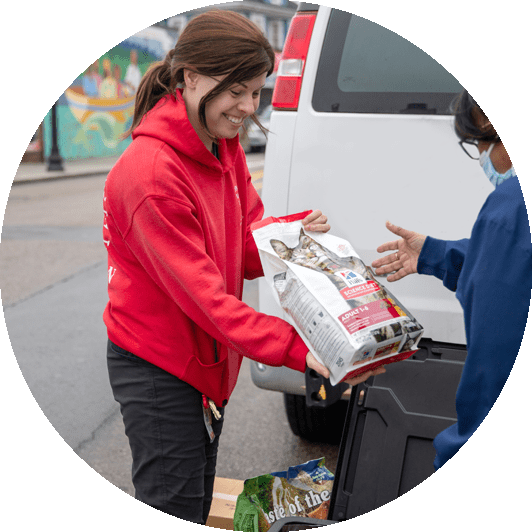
<point>177,230</point>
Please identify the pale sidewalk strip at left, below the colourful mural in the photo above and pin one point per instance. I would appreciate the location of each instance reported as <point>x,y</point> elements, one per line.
<point>33,172</point>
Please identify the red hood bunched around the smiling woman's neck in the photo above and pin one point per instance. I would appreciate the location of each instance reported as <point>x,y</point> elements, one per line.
<point>168,122</point>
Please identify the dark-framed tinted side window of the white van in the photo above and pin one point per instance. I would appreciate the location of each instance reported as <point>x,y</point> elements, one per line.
<point>366,68</point>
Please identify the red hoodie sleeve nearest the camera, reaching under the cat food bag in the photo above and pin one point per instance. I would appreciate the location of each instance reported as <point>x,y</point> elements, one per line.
<point>168,241</point>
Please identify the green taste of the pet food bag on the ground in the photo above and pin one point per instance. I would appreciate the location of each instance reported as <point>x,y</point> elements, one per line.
<point>303,491</point>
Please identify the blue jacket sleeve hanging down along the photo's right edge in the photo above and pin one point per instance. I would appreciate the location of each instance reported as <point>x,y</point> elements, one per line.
<point>494,291</point>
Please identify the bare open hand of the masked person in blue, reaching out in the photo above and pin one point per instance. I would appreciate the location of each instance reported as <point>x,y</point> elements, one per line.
<point>403,260</point>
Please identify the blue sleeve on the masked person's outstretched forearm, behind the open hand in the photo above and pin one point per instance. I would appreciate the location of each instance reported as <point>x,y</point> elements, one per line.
<point>444,259</point>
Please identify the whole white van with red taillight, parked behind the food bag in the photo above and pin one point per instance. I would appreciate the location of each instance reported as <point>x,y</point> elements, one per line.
<point>361,129</point>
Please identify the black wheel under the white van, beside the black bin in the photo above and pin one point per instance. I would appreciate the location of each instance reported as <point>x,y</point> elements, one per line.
<point>318,425</point>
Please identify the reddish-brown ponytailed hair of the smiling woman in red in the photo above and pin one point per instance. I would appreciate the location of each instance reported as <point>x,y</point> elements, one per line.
<point>215,43</point>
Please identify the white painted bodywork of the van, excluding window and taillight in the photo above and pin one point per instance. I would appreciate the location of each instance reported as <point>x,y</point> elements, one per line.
<point>362,169</point>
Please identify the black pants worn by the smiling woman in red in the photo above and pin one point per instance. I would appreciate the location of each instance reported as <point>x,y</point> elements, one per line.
<point>174,462</point>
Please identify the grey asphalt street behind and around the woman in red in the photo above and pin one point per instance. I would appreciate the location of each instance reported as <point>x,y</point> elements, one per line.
<point>53,278</point>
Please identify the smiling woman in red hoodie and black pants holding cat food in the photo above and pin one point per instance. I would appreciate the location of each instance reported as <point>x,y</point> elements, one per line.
<point>178,208</point>
